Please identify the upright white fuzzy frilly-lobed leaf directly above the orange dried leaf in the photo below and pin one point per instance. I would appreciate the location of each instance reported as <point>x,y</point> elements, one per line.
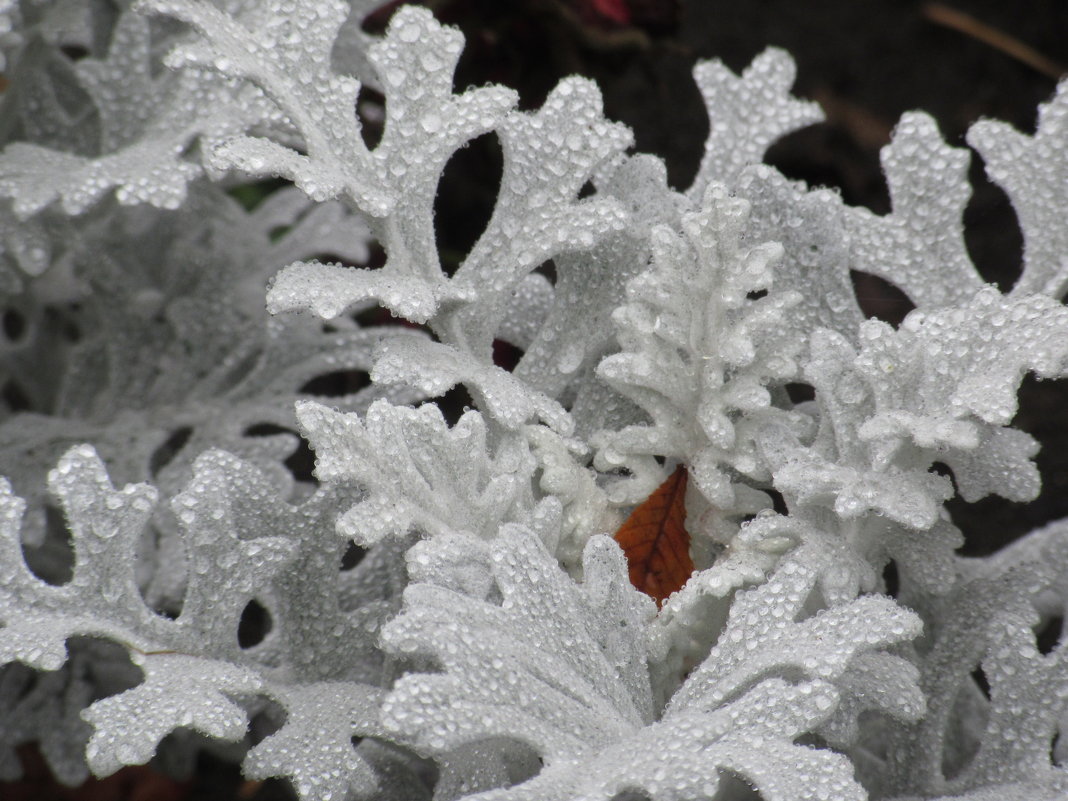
<point>698,354</point>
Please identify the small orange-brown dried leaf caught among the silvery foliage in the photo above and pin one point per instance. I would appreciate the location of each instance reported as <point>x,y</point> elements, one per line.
<point>656,542</point>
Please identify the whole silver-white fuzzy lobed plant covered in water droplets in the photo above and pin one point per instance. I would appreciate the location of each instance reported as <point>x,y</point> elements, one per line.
<point>490,645</point>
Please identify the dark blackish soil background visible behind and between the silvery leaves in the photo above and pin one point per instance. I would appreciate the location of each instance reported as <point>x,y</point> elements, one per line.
<point>866,62</point>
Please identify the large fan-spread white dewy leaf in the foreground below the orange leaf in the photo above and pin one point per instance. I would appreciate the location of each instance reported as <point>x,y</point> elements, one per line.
<point>562,667</point>
